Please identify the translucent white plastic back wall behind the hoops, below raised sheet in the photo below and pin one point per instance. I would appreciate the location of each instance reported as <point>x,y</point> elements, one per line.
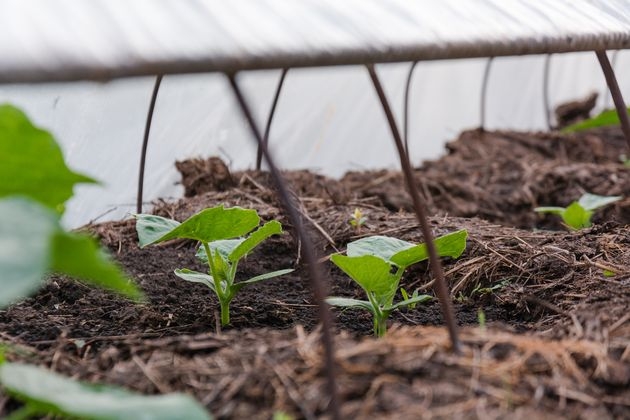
<point>327,120</point>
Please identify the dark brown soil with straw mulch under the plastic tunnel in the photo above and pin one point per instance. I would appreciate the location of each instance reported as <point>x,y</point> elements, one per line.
<point>556,337</point>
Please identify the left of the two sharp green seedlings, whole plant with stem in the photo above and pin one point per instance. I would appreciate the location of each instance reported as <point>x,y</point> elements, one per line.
<point>221,233</point>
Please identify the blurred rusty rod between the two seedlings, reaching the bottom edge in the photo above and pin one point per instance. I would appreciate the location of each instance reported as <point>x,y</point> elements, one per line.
<point>318,285</point>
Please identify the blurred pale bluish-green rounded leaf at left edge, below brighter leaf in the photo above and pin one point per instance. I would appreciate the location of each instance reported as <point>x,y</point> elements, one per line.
<point>26,232</point>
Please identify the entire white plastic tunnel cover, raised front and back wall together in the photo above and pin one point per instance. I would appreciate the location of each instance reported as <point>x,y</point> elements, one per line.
<point>328,119</point>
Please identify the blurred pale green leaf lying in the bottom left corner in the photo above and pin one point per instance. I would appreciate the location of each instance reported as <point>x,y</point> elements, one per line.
<point>48,392</point>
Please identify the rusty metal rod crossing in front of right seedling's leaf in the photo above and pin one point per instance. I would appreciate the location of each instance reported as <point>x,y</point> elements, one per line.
<point>439,287</point>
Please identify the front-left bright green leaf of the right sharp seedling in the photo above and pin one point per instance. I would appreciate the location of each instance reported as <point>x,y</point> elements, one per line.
<point>371,273</point>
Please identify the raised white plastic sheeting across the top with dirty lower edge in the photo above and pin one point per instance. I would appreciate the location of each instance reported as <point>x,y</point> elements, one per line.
<point>44,40</point>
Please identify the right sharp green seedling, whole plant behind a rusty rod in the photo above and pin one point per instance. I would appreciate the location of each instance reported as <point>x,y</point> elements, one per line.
<point>377,264</point>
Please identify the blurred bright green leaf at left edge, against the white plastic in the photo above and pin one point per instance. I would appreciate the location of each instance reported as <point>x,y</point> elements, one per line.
<point>32,159</point>
